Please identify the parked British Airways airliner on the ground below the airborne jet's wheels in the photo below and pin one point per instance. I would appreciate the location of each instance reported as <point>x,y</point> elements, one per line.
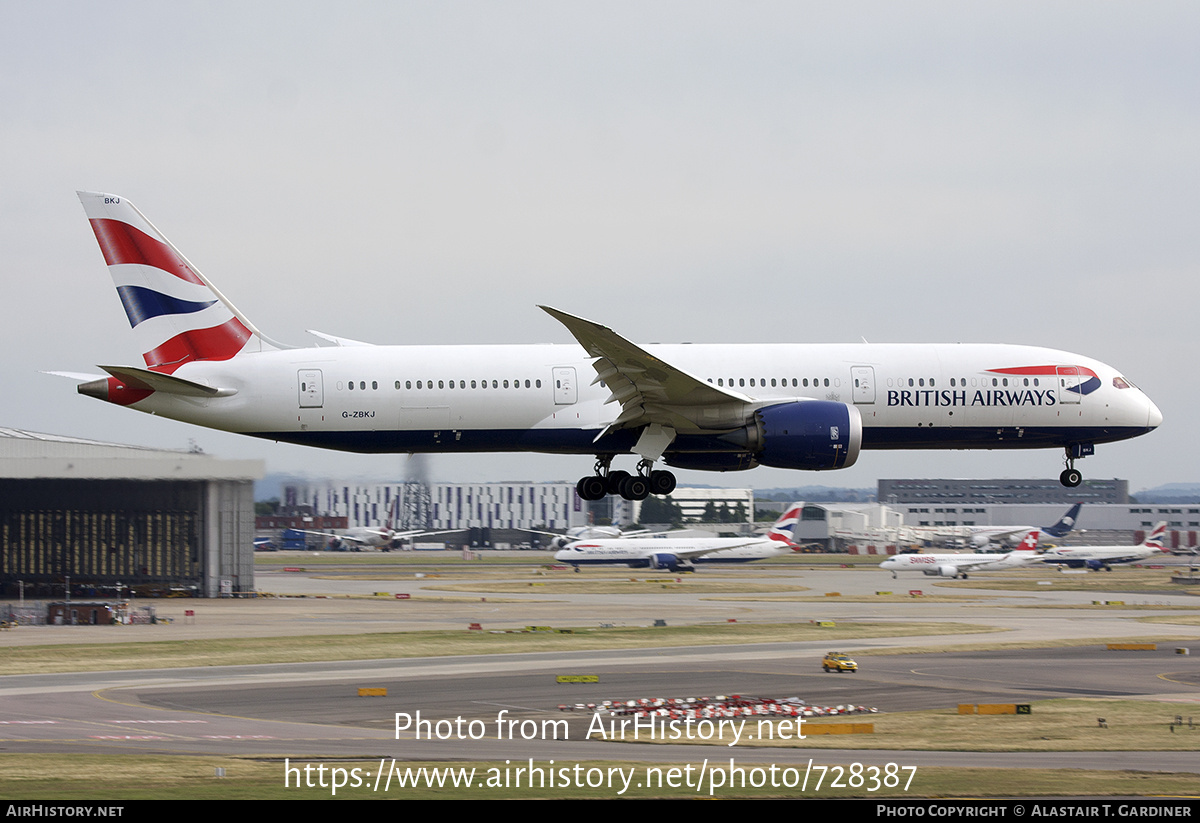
<point>679,554</point>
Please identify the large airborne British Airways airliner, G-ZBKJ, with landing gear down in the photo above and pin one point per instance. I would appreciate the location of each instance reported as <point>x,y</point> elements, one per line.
<point>712,407</point>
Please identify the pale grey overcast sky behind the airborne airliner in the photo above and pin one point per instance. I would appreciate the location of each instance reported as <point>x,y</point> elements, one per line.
<point>706,172</point>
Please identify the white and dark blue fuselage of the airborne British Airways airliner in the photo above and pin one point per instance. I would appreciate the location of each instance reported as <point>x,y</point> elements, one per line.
<point>476,399</point>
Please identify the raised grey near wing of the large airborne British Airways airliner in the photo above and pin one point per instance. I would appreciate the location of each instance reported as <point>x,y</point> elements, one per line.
<point>650,391</point>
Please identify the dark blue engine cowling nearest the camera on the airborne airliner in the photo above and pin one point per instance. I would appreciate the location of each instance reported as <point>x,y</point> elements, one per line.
<point>809,435</point>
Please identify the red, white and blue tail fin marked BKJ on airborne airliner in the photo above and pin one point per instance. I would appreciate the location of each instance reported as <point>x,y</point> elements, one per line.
<point>177,315</point>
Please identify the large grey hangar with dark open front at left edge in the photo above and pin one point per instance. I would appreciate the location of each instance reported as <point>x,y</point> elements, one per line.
<point>113,519</point>
